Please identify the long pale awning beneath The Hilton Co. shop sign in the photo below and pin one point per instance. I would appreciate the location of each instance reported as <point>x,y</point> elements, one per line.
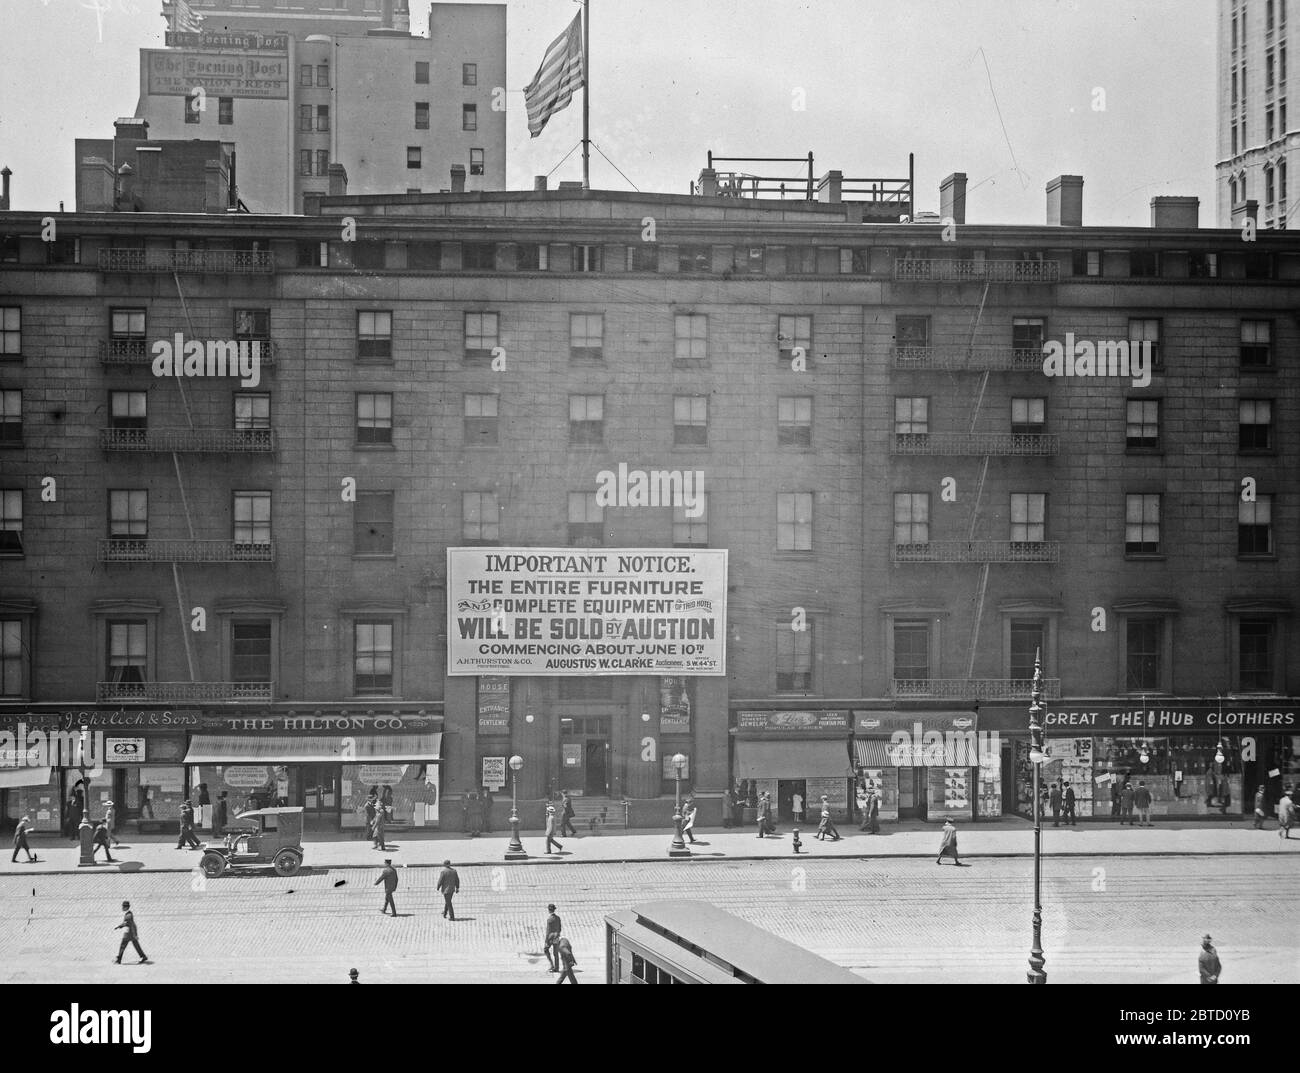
<point>392,748</point>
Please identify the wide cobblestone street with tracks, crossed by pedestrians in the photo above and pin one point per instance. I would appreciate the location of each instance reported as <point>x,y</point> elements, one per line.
<point>1123,920</point>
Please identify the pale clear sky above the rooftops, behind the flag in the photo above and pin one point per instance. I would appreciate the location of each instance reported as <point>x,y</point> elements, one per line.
<point>675,79</point>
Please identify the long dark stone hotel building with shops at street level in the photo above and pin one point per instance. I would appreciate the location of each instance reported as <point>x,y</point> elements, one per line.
<point>244,579</point>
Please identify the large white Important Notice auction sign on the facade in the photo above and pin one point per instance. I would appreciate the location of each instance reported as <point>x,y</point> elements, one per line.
<point>565,611</point>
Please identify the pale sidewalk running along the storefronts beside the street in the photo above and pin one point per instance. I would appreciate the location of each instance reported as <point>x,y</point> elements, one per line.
<point>1004,838</point>
